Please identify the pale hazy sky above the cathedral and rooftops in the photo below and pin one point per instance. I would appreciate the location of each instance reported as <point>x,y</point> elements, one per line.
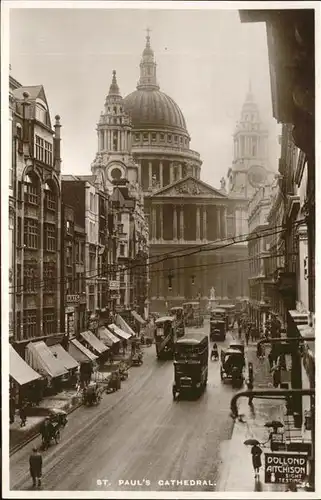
<point>205,60</point>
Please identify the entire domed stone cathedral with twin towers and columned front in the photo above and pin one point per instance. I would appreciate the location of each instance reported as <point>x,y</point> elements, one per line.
<point>197,233</point>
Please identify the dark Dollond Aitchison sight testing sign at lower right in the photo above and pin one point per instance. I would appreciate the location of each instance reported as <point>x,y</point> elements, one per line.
<point>285,467</point>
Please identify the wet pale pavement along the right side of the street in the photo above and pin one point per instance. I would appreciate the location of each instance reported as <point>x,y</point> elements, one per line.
<point>237,472</point>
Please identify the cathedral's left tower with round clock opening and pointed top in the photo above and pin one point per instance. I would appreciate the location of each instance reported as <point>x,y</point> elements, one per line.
<point>114,160</point>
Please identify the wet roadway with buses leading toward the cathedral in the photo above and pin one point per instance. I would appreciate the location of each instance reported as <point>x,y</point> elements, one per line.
<point>140,436</point>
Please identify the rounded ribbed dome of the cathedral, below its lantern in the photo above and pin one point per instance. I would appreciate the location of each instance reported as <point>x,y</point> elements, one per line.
<point>150,108</point>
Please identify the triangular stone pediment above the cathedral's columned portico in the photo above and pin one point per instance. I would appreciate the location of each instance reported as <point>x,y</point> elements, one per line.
<point>189,187</point>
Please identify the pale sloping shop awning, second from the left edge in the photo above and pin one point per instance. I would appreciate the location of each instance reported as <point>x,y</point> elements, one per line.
<point>39,356</point>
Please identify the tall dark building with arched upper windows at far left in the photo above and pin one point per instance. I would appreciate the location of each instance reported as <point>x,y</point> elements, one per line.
<point>35,217</point>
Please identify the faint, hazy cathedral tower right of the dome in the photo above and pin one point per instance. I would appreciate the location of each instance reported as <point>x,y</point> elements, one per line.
<point>250,169</point>
